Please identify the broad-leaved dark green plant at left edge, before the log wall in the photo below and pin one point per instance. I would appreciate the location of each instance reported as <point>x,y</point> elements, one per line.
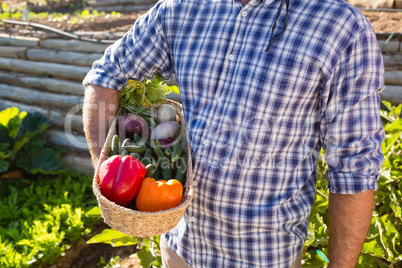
<point>22,144</point>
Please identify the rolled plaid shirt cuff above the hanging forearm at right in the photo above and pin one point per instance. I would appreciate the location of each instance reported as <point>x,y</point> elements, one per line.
<point>349,183</point>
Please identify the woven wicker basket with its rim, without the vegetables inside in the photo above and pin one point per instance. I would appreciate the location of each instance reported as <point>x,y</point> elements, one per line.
<point>144,224</point>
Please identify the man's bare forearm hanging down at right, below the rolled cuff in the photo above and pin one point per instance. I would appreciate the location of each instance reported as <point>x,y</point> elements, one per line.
<point>350,217</point>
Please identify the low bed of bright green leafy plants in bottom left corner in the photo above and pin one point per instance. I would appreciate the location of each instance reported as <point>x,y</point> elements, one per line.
<point>41,218</point>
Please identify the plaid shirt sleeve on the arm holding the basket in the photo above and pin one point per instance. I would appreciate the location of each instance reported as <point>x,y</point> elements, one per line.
<point>139,54</point>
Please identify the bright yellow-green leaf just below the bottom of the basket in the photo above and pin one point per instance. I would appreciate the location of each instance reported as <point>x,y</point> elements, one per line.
<point>114,238</point>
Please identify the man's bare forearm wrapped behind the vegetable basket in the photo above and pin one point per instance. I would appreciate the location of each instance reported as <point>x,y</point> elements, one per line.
<point>100,106</point>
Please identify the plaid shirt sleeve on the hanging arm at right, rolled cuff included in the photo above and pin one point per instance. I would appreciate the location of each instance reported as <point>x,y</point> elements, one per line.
<point>351,130</point>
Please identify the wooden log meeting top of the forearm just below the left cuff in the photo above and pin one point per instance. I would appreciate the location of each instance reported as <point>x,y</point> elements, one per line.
<point>43,84</point>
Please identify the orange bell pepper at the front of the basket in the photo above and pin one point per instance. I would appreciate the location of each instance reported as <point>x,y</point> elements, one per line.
<point>159,195</point>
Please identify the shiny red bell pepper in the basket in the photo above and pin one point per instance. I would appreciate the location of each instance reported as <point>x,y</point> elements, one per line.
<point>120,178</point>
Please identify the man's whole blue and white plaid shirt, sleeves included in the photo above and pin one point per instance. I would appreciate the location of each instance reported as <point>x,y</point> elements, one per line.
<point>258,120</point>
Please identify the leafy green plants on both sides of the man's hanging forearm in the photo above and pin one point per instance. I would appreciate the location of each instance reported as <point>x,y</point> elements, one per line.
<point>382,247</point>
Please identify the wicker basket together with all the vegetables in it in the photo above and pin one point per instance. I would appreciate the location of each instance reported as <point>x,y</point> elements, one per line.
<point>143,182</point>
